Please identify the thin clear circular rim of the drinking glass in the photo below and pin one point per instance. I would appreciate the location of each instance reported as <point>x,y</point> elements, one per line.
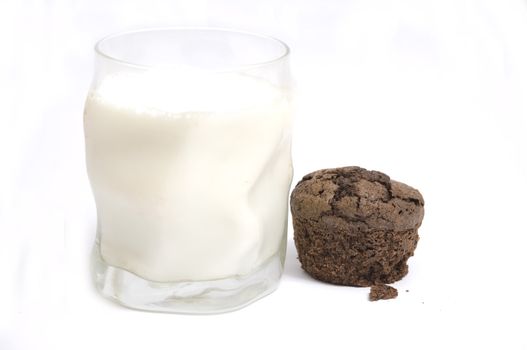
<point>283,54</point>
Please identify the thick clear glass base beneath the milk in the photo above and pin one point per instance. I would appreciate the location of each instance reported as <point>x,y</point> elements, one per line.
<point>187,297</point>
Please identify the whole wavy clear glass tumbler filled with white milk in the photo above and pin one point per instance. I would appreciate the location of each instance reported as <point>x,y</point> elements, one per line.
<point>188,152</point>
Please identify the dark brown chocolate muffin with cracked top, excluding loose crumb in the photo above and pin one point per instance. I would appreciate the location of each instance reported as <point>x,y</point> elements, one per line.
<point>355,227</point>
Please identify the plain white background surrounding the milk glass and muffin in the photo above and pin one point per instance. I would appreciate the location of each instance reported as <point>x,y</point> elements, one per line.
<point>434,93</point>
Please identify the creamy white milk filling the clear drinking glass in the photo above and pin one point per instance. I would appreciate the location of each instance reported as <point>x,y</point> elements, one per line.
<point>190,181</point>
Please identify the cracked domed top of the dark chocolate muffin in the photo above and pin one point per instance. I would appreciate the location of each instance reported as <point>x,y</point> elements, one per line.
<point>368,199</point>
